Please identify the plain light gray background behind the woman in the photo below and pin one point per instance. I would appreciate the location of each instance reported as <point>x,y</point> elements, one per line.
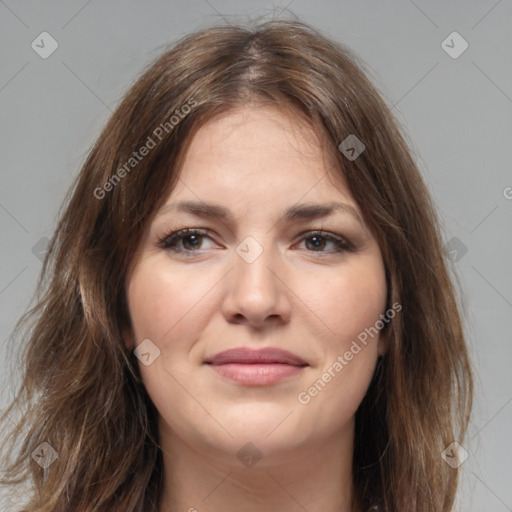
<point>457,112</point>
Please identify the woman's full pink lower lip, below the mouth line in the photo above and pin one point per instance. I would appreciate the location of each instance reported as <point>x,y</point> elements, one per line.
<point>256,374</point>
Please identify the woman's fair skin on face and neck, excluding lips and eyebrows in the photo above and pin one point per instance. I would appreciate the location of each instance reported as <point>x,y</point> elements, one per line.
<point>299,295</point>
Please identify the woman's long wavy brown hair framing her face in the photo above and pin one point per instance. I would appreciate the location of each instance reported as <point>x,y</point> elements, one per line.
<point>81,390</point>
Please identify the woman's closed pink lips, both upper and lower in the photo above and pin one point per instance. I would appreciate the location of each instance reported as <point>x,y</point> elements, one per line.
<point>256,367</point>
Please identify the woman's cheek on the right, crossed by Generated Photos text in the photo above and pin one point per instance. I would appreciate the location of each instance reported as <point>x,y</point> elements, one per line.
<point>349,304</point>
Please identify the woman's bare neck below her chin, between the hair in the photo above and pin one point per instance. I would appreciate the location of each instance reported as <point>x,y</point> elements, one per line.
<point>311,476</point>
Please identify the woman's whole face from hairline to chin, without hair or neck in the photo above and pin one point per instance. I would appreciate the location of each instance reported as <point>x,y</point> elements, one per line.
<point>267,268</point>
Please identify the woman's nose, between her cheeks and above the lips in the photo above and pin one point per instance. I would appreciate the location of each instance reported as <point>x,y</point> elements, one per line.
<point>257,294</point>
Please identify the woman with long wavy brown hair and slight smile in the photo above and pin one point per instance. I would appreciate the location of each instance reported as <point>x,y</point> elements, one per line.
<point>246,303</point>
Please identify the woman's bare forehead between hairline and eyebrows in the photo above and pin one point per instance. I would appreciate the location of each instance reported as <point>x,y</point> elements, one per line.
<point>260,151</point>
